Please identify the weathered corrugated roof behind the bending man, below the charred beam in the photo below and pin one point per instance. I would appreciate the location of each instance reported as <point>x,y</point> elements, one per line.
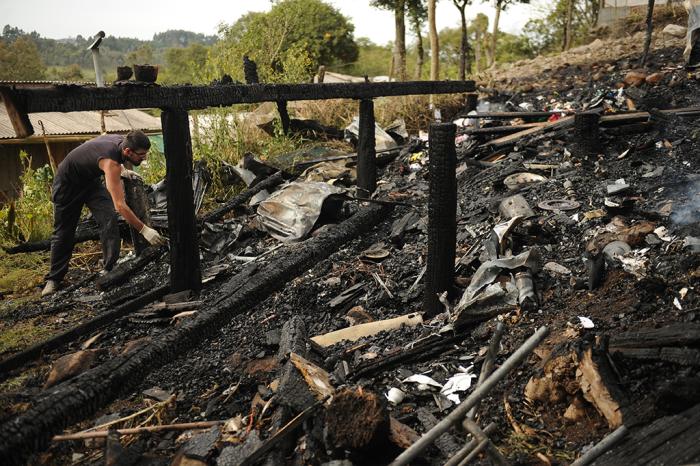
<point>56,123</point>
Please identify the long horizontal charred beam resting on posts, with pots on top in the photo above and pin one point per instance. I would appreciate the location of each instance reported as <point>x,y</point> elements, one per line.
<point>70,99</point>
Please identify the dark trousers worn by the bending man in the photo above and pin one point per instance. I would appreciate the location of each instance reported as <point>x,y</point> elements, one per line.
<point>68,203</point>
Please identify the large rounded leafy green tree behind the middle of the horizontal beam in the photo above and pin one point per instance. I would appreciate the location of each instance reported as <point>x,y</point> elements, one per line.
<point>287,43</point>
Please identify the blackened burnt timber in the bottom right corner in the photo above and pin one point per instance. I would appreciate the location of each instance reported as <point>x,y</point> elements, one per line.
<point>669,440</point>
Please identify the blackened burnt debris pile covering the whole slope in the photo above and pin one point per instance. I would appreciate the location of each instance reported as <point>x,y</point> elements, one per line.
<point>517,285</point>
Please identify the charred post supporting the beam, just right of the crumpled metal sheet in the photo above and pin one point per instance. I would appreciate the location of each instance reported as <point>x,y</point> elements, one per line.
<point>366,154</point>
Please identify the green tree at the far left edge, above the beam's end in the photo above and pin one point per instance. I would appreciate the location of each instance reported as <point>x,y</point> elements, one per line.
<point>20,60</point>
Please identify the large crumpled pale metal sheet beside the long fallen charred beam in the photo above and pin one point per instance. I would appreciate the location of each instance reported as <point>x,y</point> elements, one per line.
<point>290,213</point>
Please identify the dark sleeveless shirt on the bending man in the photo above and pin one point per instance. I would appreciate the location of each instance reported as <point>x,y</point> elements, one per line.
<point>80,168</point>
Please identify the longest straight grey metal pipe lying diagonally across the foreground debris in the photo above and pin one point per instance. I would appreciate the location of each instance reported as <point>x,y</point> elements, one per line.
<point>458,413</point>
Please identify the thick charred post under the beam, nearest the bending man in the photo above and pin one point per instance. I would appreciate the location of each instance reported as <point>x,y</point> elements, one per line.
<point>185,270</point>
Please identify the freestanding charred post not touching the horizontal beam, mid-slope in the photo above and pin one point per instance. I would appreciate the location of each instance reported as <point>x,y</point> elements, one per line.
<point>442,212</point>
